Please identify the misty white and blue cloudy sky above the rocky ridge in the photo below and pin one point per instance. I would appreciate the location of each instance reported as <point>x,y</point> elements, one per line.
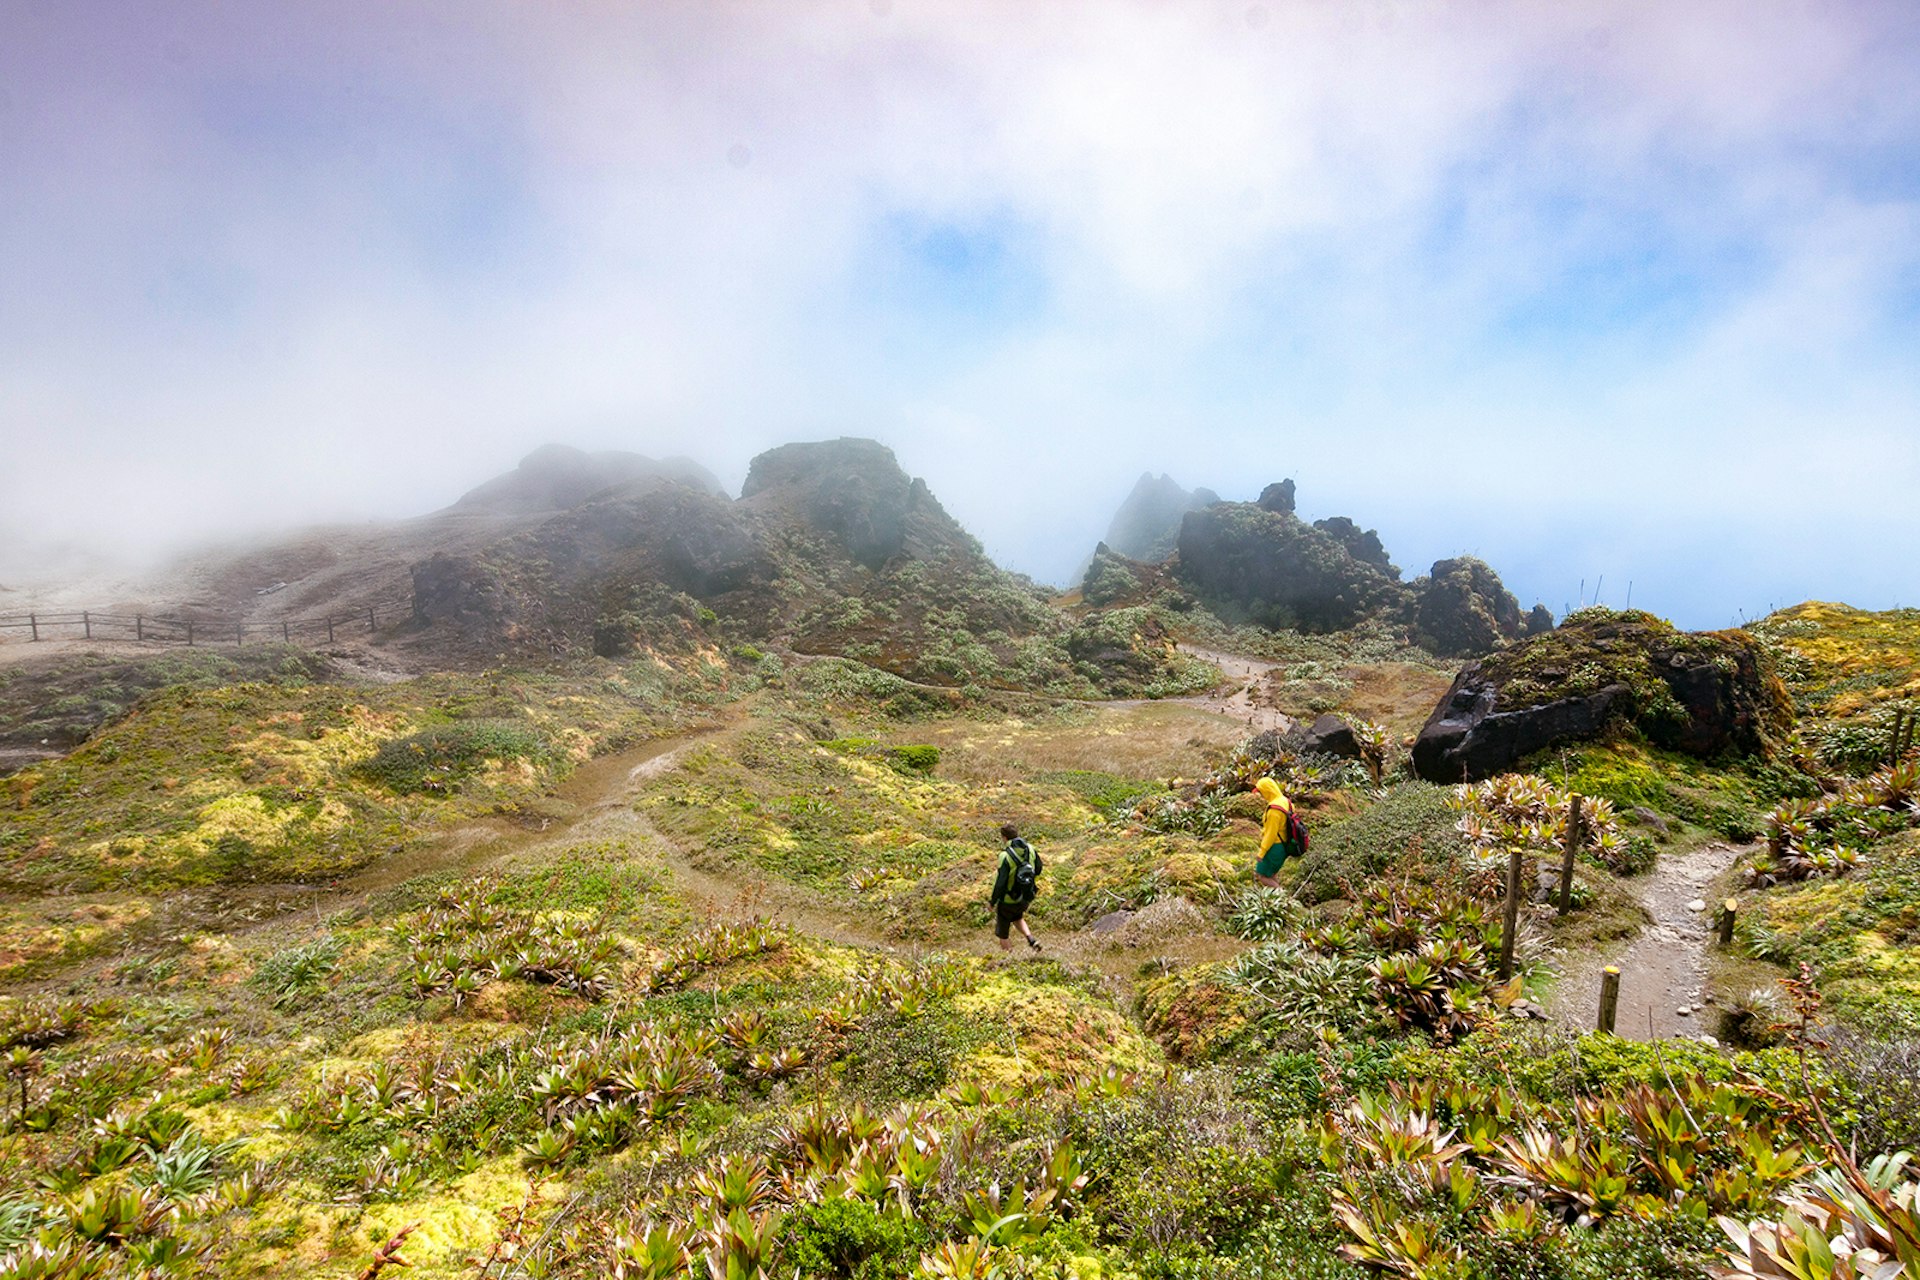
<point>1616,293</point>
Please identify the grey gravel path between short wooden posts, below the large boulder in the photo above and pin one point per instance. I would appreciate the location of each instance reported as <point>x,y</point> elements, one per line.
<point>1664,968</point>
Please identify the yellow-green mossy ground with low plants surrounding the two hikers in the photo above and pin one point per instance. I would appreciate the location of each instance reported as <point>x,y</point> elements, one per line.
<point>684,970</point>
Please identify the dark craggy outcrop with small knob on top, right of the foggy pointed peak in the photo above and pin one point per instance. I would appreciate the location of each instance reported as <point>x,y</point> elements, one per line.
<point>1251,563</point>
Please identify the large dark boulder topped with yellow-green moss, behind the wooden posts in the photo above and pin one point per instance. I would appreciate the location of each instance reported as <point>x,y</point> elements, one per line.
<point>1706,694</point>
